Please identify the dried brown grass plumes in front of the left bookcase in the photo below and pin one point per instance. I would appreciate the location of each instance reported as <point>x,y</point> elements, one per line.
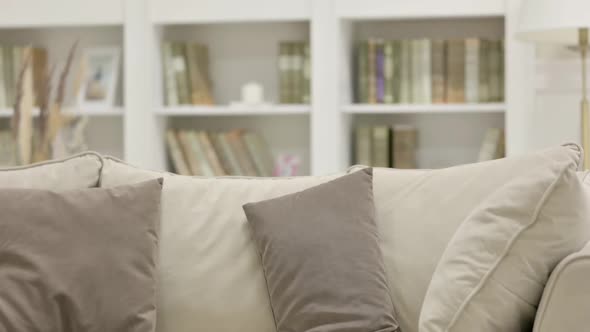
<point>34,144</point>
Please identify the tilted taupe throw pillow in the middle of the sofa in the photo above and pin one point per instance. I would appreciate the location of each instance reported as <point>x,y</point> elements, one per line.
<point>321,258</point>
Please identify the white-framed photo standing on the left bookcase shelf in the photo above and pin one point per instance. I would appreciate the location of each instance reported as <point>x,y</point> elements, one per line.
<point>100,71</point>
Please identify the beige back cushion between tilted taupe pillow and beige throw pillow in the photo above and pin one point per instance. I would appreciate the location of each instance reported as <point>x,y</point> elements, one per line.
<point>418,211</point>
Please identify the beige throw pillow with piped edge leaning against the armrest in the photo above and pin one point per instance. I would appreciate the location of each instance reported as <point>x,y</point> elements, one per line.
<point>492,274</point>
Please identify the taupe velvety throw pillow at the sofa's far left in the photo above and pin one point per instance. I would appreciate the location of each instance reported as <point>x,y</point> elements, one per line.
<point>81,260</point>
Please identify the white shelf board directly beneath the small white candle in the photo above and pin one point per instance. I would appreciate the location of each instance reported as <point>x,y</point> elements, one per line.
<point>192,110</point>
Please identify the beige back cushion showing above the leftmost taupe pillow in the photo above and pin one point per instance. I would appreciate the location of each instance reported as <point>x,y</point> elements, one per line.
<point>80,171</point>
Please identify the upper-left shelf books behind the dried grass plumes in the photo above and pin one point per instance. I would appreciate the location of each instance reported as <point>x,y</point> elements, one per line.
<point>12,59</point>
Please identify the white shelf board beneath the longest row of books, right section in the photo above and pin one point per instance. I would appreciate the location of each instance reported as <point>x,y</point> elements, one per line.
<point>424,108</point>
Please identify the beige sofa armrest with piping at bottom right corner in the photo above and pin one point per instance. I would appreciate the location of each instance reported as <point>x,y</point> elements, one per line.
<point>566,299</point>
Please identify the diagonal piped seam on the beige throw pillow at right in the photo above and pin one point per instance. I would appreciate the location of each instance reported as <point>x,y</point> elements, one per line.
<point>488,274</point>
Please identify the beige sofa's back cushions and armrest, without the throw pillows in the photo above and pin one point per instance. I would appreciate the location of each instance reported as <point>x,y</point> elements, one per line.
<point>210,277</point>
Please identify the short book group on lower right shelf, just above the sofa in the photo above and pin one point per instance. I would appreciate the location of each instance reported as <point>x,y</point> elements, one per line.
<point>385,146</point>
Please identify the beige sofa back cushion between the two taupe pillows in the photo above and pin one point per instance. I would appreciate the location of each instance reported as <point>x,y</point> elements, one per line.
<point>211,278</point>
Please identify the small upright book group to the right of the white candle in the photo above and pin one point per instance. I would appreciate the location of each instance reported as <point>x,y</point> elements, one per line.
<point>294,72</point>
